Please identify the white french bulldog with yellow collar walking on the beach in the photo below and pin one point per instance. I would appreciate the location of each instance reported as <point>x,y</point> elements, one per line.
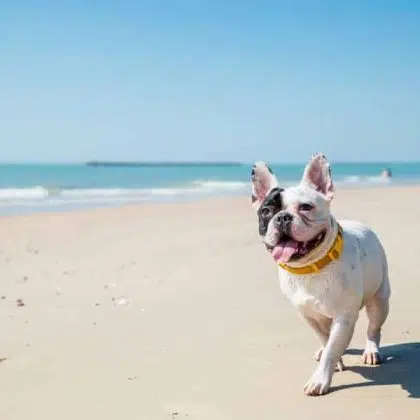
<point>328,288</point>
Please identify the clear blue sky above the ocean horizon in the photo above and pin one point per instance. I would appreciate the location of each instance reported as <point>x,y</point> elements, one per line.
<point>209,79</point>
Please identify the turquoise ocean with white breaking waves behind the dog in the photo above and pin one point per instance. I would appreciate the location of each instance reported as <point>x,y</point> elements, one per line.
<point>26,188</point>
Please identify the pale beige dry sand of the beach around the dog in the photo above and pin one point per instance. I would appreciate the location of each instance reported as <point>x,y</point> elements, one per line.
<point>174,312</point>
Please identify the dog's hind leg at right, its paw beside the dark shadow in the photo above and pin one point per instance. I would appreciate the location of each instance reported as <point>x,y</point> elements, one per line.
<point>377,309</point>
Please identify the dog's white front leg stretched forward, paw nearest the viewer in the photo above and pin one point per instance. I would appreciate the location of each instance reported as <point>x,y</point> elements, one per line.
<point>340,335</point>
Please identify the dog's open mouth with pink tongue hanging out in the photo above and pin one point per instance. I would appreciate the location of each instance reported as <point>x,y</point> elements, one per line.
<point>289,249</point>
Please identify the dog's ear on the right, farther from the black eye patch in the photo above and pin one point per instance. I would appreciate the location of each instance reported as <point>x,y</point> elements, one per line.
<point>317,174</point>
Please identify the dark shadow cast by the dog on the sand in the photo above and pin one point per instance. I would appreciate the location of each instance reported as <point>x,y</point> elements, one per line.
<point>401,367</point>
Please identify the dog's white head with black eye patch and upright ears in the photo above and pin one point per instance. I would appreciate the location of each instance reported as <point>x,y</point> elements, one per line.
<point>295,220</point>
